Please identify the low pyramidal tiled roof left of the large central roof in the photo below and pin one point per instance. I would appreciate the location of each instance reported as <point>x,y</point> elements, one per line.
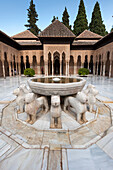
<point>25,34</point>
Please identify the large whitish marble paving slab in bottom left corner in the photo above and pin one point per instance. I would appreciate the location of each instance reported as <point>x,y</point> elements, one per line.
<point>23,159</point>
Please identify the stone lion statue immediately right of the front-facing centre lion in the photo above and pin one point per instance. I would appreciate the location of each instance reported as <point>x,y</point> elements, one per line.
<point>77,105</point>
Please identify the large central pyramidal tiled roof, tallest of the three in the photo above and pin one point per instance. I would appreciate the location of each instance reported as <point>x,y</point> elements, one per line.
<point>56,29</point>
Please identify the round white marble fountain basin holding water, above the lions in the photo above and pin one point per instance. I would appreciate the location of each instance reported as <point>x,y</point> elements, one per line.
<point>59,85</point>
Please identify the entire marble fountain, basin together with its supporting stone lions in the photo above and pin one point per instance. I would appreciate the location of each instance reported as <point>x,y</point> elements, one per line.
<point>53,95</point>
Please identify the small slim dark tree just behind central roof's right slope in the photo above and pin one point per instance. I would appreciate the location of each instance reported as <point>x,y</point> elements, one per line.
<point>65,18</point>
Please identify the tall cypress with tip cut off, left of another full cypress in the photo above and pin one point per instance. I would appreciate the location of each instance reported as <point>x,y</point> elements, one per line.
<point>81,22</point>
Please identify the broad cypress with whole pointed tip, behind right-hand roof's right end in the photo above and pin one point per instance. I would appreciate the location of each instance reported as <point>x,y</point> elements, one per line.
<point>96,24</point>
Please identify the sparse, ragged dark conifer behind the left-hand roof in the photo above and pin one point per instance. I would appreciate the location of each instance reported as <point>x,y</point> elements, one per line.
<point>32,19</point>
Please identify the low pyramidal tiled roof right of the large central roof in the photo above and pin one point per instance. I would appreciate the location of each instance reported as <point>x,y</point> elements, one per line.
<point>86,34</point>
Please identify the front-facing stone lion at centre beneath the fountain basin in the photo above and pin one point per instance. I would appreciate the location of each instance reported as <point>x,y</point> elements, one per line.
<point>55,112</point>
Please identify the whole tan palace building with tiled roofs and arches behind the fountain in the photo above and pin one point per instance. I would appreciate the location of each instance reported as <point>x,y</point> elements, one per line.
<point>56,51</point>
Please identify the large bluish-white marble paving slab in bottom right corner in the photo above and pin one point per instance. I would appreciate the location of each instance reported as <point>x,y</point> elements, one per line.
<point>92,158</point>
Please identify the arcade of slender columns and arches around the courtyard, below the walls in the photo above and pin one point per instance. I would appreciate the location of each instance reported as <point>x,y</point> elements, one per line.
<point>55,64</point>
